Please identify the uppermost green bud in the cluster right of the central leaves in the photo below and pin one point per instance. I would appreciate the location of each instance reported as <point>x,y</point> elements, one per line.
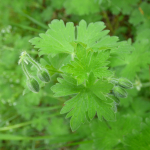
<point>125,83</point>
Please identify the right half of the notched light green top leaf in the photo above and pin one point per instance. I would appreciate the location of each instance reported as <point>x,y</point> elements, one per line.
<point>96,38</point>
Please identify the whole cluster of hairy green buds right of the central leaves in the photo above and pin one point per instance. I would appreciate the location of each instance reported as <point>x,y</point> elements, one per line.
<point>119,89</point>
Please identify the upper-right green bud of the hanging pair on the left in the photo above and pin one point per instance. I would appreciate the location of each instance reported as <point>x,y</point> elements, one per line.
<point>43,75</point>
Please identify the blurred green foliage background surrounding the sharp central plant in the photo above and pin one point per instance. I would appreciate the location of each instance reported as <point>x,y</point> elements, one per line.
<point>33,121</point>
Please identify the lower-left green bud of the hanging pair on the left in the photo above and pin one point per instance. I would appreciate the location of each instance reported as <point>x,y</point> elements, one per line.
<point>33,85</point>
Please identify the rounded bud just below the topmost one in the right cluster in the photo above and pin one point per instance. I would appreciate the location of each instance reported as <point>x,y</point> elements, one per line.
<point>119,92</point>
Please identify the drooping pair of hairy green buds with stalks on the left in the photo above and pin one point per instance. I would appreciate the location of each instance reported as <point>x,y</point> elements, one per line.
<point>42,73</point>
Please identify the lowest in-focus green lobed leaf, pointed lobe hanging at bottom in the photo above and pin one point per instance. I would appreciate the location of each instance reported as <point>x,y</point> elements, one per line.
<point>90,98</point>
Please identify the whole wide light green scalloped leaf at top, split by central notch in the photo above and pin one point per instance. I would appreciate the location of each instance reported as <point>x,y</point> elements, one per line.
<point>59,37</point>
